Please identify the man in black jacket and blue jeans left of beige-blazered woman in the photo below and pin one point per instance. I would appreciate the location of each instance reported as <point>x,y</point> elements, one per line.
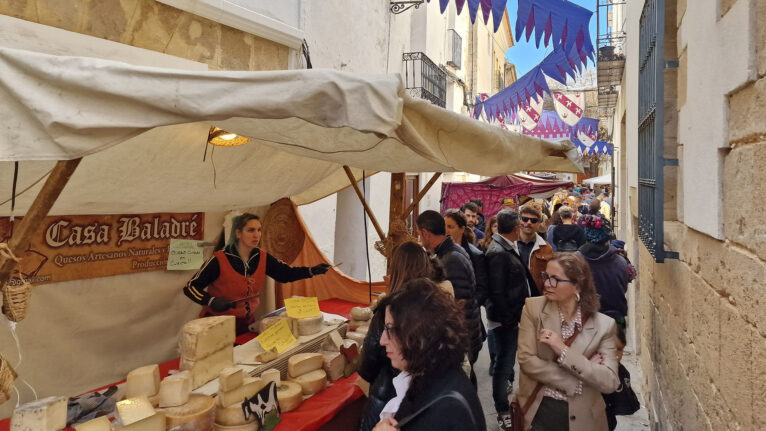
<point>509,285</point>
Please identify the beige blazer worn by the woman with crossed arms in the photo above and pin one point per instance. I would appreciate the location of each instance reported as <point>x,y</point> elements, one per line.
<point>538,364</point>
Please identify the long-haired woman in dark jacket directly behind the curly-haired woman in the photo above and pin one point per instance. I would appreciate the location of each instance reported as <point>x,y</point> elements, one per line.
<point>409,261</point>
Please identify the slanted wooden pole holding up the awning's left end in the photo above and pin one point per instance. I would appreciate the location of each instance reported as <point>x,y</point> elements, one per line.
<point>30,223</point>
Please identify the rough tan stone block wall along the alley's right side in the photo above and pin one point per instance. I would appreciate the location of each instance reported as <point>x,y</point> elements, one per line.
<point>702,318</point>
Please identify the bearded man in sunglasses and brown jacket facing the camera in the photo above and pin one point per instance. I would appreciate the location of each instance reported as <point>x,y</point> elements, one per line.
<point>533,249</point>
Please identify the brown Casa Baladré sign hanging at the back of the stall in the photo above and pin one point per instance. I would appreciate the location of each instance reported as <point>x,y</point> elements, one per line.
<point>88,246</point>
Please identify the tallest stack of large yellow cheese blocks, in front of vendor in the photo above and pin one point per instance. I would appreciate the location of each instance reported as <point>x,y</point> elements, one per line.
<point>207,347</point>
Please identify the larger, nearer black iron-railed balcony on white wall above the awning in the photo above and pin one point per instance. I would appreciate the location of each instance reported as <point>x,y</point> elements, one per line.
<point>423,79</point>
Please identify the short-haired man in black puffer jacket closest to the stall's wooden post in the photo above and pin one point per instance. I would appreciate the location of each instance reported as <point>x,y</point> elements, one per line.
<point>457,264</point>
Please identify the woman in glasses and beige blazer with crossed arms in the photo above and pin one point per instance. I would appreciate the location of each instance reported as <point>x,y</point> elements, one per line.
<point>571,374</point>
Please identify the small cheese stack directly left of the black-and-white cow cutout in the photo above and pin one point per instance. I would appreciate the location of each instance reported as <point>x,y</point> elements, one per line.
<point>233,389</point>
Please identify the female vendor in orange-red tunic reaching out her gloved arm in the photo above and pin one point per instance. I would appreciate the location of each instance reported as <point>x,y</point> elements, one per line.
<point>234,276</point>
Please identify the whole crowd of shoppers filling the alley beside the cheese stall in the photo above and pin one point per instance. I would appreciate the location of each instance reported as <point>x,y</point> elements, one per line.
<point>552,278</point>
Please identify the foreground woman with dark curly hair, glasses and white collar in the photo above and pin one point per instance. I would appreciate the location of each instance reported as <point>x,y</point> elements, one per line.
<point>425,339</point>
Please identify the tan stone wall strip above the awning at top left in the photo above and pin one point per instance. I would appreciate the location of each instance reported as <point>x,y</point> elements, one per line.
<point>154,26</point>
